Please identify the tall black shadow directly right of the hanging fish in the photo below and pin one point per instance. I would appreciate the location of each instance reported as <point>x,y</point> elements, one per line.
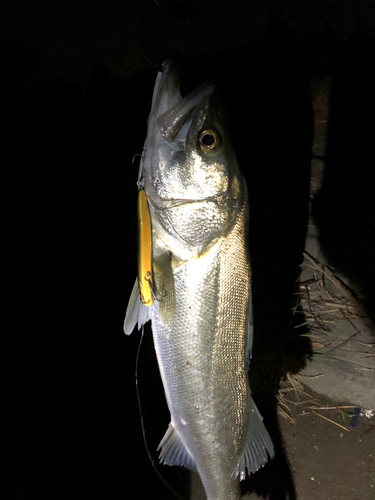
<point>274,154</point>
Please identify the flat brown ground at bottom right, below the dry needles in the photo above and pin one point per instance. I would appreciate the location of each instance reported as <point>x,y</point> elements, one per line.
<point>330,462</point>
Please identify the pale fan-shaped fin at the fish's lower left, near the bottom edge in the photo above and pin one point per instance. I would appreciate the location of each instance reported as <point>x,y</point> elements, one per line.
<point>173,450</point>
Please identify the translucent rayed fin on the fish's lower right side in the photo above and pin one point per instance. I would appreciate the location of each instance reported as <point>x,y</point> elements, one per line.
<point>258,445</point>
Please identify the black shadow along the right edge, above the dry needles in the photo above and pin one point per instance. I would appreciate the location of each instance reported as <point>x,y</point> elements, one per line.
<point>344,208</point>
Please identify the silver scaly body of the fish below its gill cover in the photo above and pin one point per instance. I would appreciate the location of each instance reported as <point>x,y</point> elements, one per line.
<point>199,331</point>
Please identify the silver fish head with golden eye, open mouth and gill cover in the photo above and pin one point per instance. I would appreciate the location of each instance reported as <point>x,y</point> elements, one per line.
<point>188,168</point>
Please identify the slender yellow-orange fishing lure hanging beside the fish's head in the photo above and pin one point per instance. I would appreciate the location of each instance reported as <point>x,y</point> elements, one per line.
<point>144,250</point>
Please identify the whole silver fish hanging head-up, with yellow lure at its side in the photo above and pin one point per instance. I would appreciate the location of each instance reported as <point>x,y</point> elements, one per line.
<point>194,284</point>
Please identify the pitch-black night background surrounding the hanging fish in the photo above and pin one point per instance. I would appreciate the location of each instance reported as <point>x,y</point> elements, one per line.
<point>76,82</point>
